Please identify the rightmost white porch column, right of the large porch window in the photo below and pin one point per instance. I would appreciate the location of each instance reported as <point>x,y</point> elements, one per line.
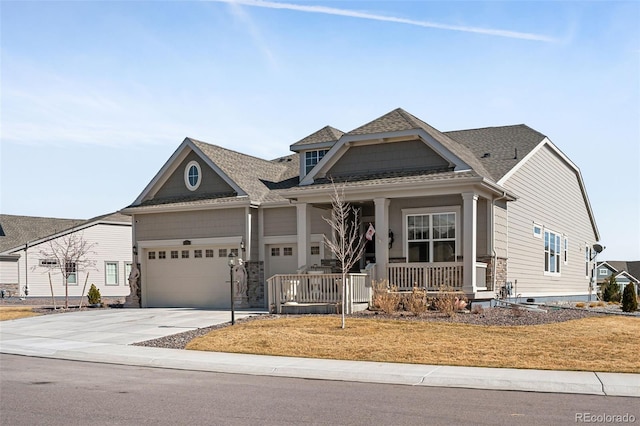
<point>469,250</point>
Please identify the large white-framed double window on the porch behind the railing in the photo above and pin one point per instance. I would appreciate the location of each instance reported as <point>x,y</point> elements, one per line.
<point>431,237</point>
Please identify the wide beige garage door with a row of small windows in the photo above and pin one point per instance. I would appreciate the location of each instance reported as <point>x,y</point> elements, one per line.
<point>187,277</point>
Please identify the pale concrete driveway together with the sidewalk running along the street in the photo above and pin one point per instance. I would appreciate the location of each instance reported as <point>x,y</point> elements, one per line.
<point>106,336</point>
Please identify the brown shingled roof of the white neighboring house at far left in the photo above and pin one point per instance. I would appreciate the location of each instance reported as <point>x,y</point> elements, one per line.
<point>16,231</point>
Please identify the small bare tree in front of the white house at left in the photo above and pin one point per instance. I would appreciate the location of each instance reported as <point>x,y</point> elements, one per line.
<point>69,254</point>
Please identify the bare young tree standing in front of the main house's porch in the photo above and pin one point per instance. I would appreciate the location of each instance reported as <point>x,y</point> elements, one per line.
<point>347,245</point>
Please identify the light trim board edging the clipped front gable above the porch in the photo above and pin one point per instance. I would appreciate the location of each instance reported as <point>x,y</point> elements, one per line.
<point>346,141</point>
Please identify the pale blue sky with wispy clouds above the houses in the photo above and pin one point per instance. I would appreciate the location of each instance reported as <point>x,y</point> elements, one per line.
<point>96,95</point>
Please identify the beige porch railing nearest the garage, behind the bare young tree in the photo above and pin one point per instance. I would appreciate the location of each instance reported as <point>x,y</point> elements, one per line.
<point>317,288</point>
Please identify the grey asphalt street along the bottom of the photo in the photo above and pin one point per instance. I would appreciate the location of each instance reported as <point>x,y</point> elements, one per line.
<point>58,392</point>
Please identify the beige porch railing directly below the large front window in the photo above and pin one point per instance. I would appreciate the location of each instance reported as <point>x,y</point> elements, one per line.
<point>432,276</point>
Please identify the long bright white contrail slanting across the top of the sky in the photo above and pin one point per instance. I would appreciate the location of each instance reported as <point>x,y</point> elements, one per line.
<point>374,17</point>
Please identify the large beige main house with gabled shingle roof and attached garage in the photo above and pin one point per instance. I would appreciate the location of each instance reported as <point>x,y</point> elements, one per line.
<point>470,209</point>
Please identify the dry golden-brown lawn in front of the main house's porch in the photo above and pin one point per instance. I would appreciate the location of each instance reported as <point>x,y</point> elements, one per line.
<point>606,344</point>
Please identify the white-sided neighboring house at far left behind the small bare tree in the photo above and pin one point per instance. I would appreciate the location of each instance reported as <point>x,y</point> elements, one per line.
<point>24,270</point>
